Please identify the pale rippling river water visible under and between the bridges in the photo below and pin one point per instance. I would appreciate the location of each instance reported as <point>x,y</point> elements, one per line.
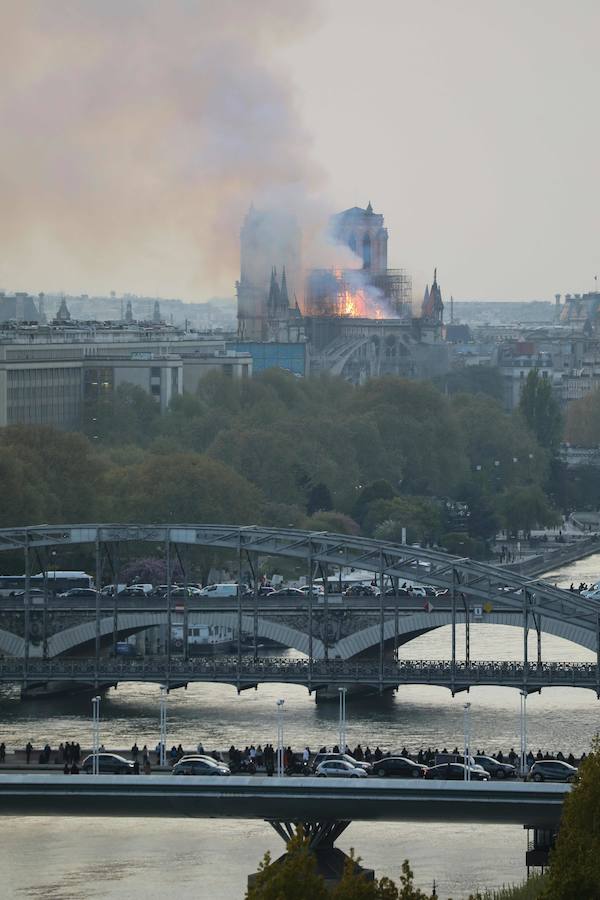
<point>76,859</point>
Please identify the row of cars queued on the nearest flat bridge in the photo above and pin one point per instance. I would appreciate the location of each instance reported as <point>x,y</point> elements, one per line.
<point>342,765</point>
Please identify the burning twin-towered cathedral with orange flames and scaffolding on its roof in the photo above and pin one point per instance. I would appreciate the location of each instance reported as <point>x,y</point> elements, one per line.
<point>357,321</point>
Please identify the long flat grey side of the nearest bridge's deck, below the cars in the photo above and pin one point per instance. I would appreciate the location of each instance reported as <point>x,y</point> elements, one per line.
<point>283,799</point>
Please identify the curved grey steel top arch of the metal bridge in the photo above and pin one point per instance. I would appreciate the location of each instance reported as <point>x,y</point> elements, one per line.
<point>470,583</point>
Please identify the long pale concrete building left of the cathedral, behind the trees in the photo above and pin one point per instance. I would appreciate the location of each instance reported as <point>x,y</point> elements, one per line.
<point>48,372</point>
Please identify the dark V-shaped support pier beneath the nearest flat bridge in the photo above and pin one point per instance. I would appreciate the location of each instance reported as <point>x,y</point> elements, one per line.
<point>320,837</point>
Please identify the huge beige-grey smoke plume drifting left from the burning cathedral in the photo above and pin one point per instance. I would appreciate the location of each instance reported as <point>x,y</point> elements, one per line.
<point>135,135</point>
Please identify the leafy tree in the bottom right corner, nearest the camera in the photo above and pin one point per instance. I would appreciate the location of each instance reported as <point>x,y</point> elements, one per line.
<point>575,861</point>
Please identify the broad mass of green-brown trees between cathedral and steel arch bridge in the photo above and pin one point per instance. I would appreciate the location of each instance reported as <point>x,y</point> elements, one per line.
<point>315,453</point>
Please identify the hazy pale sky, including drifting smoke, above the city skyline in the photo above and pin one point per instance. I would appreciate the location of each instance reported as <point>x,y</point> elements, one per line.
<point>136,132</point>
